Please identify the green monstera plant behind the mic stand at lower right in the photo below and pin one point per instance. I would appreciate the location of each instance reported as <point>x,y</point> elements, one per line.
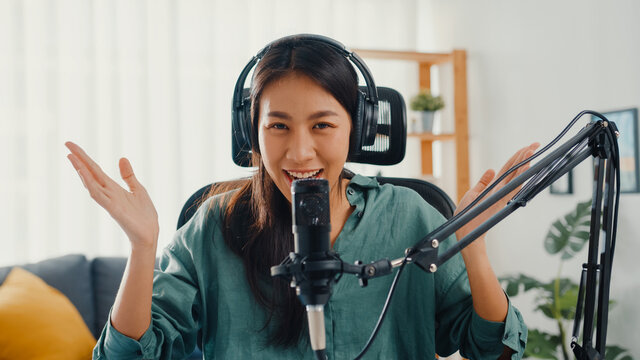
<point>557,298</point>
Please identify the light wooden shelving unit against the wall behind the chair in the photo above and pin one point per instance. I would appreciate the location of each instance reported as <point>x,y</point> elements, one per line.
<point>461,133</point>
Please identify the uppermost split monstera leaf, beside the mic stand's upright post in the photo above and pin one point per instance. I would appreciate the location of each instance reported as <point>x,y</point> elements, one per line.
<point>568,235</point>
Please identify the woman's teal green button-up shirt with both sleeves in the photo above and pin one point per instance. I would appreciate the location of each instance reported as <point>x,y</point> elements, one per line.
<point>200,295</point>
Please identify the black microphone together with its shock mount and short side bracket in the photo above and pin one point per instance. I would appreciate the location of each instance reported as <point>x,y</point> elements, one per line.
<point>313,267</point>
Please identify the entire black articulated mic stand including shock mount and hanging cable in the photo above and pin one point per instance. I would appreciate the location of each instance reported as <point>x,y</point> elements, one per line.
<point>598,140</point>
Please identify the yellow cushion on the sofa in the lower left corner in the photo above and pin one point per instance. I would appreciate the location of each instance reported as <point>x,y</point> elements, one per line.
<point>38,321</point>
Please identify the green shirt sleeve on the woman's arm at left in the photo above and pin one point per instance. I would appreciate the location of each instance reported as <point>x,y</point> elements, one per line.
<point>175,309</point>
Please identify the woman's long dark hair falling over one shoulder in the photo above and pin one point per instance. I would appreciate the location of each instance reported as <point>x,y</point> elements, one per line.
<point>258,202</point>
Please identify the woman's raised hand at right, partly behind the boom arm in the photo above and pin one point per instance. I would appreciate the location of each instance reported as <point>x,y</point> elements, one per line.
<point>484,182</point>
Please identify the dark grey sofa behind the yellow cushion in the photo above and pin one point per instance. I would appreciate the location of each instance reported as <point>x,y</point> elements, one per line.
<point>90,284</point>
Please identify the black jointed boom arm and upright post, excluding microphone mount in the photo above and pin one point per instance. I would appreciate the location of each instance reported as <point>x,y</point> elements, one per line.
<point>597,139</point>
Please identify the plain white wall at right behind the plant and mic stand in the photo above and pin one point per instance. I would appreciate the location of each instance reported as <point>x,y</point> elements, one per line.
<point>532,66</point>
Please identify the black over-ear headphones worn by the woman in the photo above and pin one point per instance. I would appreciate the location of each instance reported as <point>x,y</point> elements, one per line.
<point>364,124</point>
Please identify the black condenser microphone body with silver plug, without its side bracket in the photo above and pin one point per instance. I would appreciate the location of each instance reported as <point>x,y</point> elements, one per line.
<point>311,230</point>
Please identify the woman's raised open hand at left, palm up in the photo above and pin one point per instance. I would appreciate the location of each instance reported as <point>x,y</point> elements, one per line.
<point>133,210</point>
